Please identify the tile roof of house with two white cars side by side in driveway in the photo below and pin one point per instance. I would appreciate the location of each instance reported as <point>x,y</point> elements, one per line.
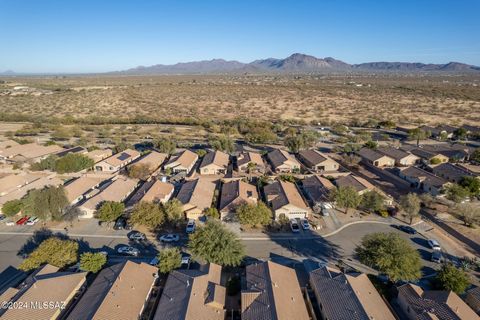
<point>285,193</point>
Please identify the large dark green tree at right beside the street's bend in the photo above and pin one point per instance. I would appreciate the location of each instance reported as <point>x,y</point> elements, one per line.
<point>390,254</point>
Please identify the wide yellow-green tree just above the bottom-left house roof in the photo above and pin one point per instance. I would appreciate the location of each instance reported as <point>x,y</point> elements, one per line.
<point>54,251</point>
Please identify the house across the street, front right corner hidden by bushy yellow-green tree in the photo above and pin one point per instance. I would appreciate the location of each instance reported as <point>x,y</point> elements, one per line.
<point>233,194</point>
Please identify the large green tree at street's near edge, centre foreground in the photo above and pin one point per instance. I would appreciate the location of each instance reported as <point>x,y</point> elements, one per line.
<point>215,243</point>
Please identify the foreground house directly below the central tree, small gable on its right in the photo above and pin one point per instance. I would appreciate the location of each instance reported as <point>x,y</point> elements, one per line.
<point>193,295</point>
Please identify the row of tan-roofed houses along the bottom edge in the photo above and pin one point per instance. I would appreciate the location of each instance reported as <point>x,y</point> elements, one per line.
<point>268,291</point>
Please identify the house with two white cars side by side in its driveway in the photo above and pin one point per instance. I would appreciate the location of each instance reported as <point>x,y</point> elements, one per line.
<point>285,199</point>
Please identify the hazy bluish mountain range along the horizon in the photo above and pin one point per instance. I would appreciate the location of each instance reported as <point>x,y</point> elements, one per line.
<point>296,63</point>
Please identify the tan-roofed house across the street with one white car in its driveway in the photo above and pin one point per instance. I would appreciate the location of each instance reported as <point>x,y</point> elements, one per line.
<point>196,196</point>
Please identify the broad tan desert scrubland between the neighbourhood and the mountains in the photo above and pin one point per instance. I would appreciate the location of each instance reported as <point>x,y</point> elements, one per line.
<point>353,99</point>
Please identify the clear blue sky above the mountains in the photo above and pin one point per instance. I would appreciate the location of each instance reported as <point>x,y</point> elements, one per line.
<point>106,35</point>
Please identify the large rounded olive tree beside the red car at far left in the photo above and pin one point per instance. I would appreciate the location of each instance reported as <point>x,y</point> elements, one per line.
<point>47,203</point>
